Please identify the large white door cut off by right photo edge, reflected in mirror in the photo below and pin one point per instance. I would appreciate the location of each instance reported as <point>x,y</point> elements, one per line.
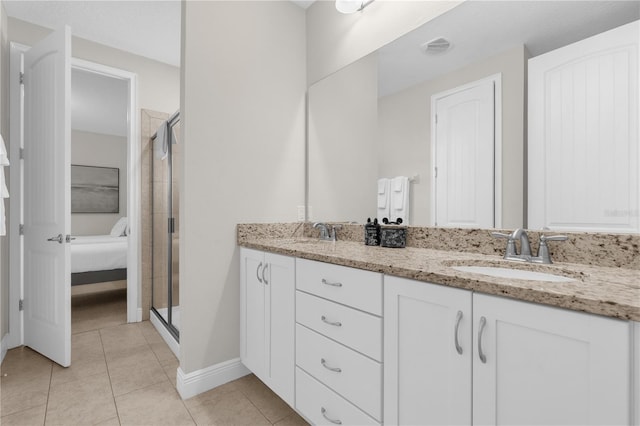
<point>583,149</point>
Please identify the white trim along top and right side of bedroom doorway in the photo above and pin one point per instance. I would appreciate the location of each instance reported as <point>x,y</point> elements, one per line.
<point>134,256</point>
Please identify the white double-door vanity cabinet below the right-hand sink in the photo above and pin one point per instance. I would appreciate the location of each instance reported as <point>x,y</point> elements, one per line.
<point>521,363</point>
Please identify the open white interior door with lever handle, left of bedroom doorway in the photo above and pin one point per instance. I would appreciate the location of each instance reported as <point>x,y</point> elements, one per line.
<point>47,188</point>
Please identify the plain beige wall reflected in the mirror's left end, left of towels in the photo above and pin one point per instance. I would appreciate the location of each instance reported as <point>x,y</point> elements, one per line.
<point>343,161</point>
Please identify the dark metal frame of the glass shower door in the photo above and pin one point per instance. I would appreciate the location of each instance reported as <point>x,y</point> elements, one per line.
<point>168,323</point>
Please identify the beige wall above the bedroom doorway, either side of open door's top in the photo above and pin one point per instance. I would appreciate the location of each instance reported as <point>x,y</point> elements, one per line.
<point>158,83</point>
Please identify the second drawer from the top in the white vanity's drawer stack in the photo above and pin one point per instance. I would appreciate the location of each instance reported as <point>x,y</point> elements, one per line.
<point>353,328</point>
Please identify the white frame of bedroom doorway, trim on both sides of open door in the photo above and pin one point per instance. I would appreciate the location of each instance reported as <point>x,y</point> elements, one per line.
<point>17,243</point>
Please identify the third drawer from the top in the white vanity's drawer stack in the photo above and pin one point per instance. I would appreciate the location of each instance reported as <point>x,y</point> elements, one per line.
<point>358,379</point>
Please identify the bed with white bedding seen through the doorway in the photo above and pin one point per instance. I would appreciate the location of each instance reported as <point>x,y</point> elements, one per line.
<point>99,258</point>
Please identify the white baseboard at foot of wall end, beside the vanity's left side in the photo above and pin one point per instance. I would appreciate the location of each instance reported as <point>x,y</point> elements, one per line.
<point>192,384</point>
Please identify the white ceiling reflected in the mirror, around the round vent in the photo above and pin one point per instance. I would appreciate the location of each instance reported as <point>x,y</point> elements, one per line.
<point>479,29</point>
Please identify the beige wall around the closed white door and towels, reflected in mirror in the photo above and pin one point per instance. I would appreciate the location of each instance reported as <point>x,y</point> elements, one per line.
<point>405,132</point>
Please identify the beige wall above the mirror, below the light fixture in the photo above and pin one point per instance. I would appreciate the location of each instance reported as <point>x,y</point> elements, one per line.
<point>335,40</point>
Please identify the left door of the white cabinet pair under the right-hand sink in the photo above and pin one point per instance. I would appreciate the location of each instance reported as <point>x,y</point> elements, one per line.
<point>426,380</point>
